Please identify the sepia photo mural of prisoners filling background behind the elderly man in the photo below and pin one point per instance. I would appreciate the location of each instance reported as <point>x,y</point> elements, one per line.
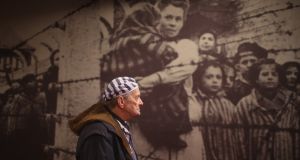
<point>219,79</point>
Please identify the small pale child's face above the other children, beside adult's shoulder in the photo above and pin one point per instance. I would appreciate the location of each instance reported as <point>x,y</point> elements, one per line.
<point>207,42</point>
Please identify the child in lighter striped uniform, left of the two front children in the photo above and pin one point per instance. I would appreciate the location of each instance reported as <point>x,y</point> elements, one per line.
<point>214,112</point>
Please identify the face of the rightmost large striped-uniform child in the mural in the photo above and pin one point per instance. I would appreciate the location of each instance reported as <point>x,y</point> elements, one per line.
<point>268,77</point>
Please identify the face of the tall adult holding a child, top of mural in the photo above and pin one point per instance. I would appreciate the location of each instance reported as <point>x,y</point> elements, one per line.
<point>171,21</point>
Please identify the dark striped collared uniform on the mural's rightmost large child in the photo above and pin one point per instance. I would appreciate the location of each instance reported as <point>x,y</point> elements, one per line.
<point>268,127</point>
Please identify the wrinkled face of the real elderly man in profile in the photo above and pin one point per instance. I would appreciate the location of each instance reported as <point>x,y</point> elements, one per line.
<point>133,102</point>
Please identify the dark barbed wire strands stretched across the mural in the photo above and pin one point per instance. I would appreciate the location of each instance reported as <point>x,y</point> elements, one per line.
<point>243,17</point>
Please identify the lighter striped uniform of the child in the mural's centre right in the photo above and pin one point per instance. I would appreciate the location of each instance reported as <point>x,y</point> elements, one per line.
<point>215,121</point>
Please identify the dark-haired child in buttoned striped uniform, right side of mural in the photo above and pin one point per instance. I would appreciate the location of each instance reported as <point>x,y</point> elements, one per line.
<point>268,117</point>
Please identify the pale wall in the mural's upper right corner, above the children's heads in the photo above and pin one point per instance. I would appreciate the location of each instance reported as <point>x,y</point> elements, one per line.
<point>272,24</point>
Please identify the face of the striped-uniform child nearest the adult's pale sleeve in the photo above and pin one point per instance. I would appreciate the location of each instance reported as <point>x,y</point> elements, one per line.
<point>212,80</point>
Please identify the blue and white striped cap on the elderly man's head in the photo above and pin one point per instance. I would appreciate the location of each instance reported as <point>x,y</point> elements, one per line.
<point>119,86</point>
